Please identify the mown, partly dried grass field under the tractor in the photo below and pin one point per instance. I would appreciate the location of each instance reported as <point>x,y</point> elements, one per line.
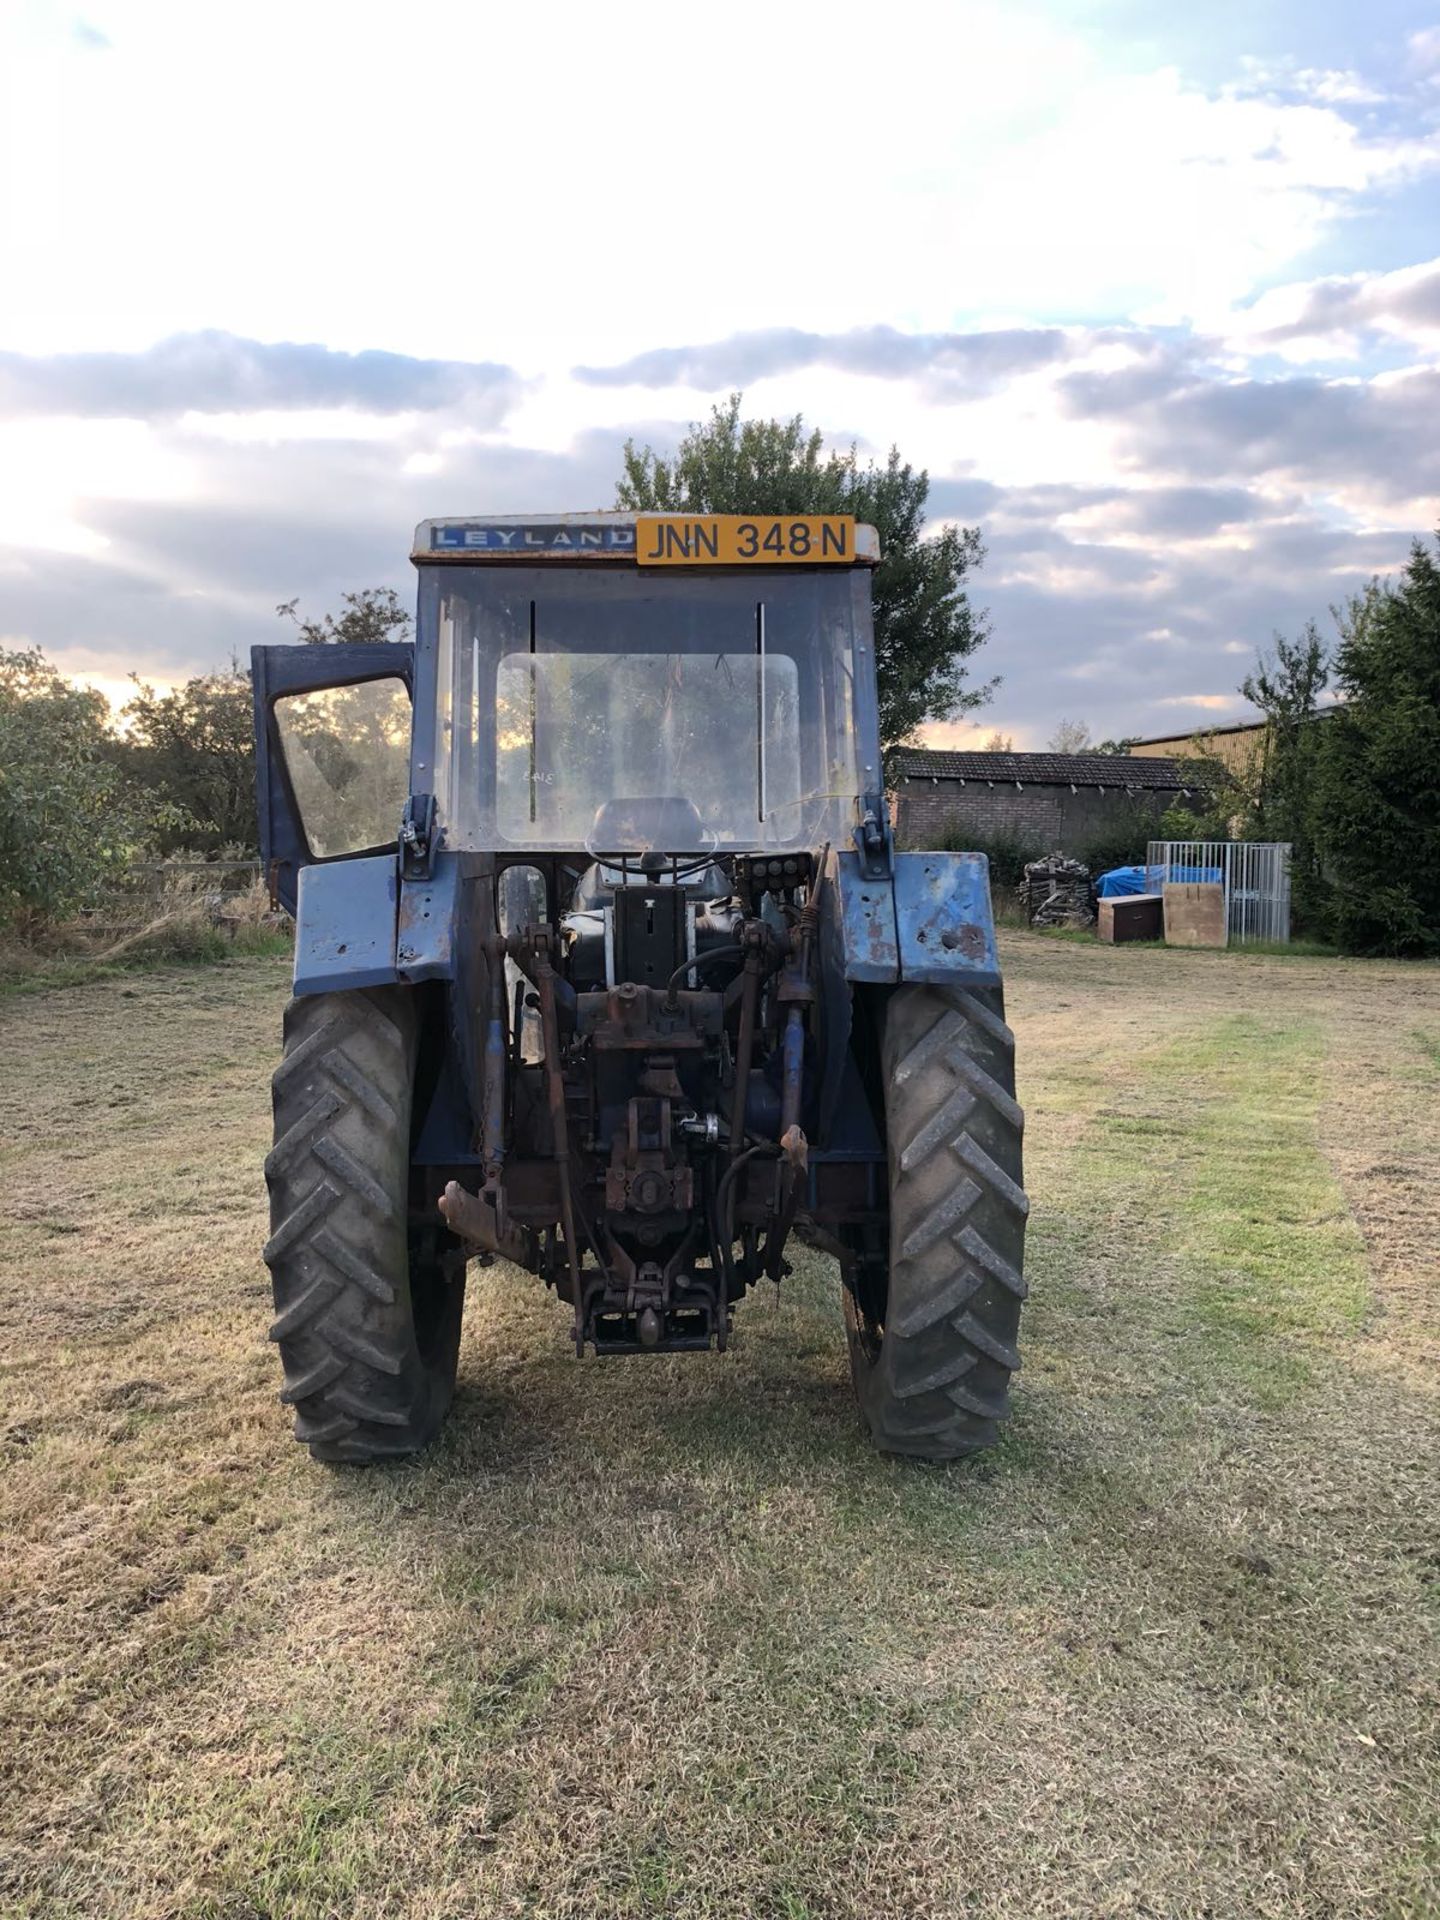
<point>665,1637</point>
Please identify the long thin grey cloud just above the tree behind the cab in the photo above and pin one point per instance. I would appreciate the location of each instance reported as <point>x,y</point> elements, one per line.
<point>953,364</point>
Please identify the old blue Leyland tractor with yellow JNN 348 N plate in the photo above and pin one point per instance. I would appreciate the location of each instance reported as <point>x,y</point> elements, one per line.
<point>608,967</point>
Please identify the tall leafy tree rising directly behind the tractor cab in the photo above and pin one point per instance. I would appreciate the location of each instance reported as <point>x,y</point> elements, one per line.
<point>924,623</point>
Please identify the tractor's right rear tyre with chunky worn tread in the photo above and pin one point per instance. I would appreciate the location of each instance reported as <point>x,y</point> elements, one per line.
<point>934,1341</point>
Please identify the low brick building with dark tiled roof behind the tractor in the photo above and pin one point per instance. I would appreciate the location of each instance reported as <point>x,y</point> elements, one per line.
<point>1047,800</point>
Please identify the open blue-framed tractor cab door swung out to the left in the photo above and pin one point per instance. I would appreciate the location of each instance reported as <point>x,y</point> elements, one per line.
<point>333,754</point>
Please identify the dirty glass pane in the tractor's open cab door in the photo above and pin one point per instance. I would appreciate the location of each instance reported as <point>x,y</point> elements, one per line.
<point>348,756</point>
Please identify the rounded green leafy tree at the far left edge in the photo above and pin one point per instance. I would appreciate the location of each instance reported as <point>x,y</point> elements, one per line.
<point>66,825</point>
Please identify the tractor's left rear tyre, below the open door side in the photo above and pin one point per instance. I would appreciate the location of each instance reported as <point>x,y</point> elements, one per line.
<point>368,1305</point>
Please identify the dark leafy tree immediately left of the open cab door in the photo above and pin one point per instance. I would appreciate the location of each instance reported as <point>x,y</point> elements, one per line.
<point>193,752</point>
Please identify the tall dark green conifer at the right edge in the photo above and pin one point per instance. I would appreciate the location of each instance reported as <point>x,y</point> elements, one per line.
<point>1378,790</point>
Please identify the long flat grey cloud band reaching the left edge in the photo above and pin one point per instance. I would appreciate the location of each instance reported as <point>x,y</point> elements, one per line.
<point>224,373</point>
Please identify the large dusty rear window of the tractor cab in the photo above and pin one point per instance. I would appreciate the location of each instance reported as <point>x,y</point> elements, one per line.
<point>619,713</point>
